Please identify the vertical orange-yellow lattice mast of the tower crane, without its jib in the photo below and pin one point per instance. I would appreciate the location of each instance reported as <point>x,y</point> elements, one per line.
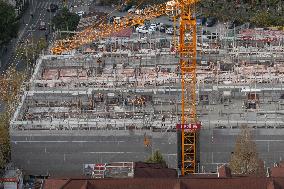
<point>187,53</point>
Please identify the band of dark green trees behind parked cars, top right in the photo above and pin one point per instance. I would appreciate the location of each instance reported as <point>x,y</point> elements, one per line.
<point>260,13</point>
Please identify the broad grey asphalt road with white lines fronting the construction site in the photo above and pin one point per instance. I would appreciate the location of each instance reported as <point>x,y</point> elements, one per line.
<point>61,153</point>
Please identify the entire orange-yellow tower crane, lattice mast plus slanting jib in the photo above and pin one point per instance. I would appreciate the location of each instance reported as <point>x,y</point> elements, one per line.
<point>187,63</point>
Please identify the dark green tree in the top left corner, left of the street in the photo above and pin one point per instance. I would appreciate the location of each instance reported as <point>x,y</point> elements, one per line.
<point>8,22</point>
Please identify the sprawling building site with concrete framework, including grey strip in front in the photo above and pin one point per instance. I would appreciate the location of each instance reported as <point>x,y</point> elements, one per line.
<point>121,98</point>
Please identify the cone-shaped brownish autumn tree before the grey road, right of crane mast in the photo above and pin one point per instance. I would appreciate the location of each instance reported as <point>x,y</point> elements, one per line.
<point>245,158</point>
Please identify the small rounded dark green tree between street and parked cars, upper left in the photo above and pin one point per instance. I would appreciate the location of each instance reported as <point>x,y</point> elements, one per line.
<point>65,20</point>
